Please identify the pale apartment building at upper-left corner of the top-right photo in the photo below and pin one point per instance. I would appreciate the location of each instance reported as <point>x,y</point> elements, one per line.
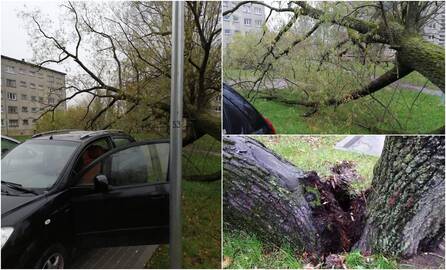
<point>249,17</point>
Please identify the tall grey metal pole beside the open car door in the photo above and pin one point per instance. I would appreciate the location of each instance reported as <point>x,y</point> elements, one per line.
<point>176,128</point>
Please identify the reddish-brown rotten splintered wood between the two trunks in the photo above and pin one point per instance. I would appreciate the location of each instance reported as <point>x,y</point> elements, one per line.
<point>340,215</point>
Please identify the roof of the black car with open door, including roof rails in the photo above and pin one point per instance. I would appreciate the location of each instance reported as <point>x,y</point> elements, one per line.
<point>75,135</point>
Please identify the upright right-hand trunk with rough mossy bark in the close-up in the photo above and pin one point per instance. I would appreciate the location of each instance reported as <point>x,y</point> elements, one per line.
<point>405,208</point>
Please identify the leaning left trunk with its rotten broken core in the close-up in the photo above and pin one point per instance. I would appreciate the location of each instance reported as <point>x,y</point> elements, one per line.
<point>282,204</point>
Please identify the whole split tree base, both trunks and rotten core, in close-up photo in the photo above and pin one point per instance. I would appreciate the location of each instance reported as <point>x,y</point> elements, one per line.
<point>282,204</point>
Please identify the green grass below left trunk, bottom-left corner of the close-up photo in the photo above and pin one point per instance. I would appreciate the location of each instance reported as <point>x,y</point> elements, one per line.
<point>245,251</point>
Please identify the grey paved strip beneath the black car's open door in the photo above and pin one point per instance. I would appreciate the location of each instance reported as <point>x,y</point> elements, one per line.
<point>113,258</point>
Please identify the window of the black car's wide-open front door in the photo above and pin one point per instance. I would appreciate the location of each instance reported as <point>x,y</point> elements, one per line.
<point>141,164</point>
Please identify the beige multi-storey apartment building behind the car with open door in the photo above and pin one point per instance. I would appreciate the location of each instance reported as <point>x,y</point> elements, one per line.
<point>26,91</point>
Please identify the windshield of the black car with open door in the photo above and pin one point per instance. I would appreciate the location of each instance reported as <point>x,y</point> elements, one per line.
<point>37,163</point>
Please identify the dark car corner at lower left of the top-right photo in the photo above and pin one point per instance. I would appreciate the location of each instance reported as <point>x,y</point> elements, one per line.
<point>240,117</point>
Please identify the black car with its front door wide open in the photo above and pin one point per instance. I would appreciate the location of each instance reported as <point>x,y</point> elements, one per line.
<point>71,189</point>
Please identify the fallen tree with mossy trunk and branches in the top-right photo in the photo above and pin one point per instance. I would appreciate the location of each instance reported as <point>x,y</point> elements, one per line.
<point>393,25</point>
